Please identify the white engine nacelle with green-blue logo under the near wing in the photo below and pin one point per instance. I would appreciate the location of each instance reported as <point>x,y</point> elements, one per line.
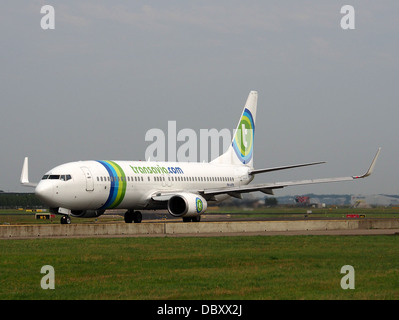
<point>187,205</point>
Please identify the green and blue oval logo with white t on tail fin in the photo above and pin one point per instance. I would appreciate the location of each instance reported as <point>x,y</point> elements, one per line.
<point>244,137</point>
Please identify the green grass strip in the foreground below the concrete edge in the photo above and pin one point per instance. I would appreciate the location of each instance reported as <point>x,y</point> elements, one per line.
<point>280,267</point>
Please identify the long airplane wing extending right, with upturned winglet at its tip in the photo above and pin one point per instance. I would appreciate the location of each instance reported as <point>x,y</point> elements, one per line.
<point>269,187</point>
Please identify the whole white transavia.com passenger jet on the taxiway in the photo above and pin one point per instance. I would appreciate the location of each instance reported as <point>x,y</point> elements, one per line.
<point>88,188</point>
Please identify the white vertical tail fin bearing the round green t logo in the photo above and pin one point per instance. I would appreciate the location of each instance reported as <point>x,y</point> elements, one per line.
<point>241,148</point>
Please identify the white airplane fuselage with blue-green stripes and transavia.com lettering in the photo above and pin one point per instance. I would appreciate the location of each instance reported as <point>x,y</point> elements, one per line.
<point>101,185</point>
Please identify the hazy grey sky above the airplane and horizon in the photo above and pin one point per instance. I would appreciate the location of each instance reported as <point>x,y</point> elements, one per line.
<point>112,70</point>
